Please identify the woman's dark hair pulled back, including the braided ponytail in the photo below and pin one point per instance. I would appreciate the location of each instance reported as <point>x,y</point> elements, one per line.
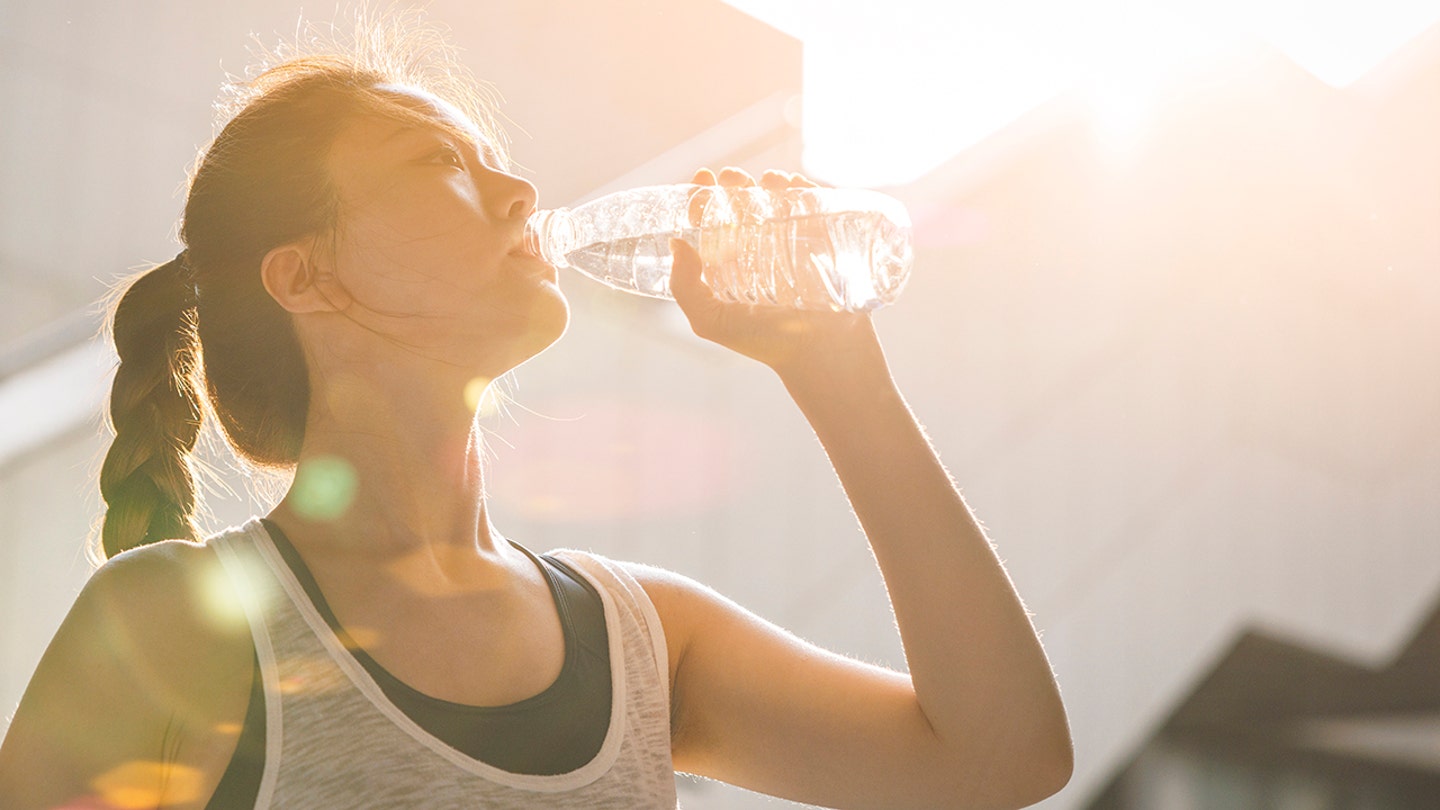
<point>201,334</point>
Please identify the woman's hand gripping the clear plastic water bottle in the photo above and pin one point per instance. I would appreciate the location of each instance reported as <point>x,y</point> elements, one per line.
<point>787,339</point>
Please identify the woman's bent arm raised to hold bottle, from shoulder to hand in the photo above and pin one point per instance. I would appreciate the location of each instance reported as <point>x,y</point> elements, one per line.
<point>978,723</point>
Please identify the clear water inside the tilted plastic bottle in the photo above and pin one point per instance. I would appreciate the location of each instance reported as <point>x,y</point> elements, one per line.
<point>824,262</point>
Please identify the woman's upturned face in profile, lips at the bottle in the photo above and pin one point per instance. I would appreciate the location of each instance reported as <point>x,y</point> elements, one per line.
<point>428,243</point>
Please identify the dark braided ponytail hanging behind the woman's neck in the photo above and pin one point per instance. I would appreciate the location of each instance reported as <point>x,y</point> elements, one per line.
<point>155,411</point>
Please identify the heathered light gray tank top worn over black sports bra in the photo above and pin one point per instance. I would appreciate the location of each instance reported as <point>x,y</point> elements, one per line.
<point>333,740</point>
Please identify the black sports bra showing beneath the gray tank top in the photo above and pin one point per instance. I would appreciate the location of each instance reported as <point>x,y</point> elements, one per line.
<point>552,733</point>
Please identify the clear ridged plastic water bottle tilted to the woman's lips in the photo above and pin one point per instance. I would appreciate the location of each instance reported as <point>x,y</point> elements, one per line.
<point>809,249</point>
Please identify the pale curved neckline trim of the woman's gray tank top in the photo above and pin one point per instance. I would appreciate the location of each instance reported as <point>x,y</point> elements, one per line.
<point>336,646</point>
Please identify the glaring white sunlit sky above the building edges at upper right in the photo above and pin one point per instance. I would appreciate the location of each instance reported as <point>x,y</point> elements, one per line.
<point>894,90</point>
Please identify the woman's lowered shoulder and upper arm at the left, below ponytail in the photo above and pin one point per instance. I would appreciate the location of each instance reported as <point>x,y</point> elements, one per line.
<point>138,691</point>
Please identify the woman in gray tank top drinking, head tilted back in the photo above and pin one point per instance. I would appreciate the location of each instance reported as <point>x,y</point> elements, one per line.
<point>354,264</point>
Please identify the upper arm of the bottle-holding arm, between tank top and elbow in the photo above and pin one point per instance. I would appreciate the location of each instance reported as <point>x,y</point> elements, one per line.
<point>761,708</point>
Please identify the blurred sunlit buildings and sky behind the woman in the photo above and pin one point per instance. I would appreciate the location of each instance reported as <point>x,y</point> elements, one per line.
<point>1174,326</point>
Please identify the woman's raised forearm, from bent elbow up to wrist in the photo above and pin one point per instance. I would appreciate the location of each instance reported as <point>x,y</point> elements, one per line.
<point>977,665</point>
